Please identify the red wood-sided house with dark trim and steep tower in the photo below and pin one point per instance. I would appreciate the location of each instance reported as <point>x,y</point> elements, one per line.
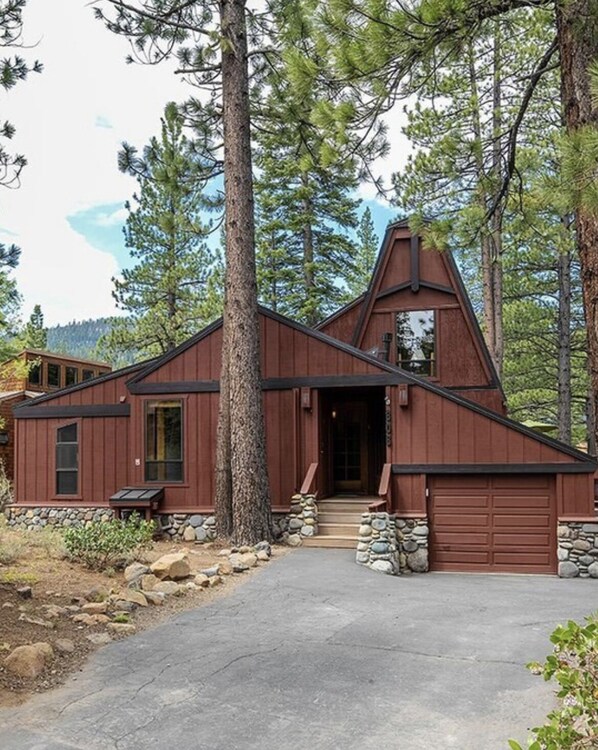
<point>395,395</point>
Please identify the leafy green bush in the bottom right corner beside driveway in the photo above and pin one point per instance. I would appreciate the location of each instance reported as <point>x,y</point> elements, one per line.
<point>574,665</point>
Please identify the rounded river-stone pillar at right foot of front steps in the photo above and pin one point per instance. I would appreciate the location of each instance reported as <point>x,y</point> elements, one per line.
<point>377,543</point>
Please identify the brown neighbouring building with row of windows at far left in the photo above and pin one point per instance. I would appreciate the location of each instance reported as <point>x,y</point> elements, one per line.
<point>46,372</point>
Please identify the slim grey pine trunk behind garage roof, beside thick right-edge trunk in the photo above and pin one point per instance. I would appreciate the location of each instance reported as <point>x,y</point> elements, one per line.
<point>564,347</point>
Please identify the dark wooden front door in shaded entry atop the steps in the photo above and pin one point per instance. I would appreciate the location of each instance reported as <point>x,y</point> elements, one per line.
<point>350,447</point>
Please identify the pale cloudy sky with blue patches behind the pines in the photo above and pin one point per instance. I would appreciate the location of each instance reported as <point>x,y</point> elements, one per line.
<point>68,213</point>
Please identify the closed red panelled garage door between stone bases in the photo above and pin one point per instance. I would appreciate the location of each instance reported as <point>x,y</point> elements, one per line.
<point>497,523</point>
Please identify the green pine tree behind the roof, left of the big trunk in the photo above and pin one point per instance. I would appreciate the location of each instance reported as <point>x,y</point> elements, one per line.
<point>163,293</point>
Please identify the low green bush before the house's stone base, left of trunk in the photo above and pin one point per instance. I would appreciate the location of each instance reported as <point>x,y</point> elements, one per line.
<point>104,544</point>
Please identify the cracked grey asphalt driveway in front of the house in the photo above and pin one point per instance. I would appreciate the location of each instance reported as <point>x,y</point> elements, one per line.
<point>317,653</point>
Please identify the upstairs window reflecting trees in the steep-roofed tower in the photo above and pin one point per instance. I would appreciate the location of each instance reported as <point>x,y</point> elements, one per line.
<point>416,342</point>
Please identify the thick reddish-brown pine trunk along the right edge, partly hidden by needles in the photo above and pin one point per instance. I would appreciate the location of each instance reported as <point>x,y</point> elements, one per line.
<point>577,24</point>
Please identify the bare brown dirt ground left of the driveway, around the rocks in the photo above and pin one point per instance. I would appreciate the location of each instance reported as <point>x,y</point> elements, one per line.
<point>37,560</point>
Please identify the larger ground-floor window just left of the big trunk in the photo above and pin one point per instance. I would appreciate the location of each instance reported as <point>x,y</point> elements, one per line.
<point>164,441</point>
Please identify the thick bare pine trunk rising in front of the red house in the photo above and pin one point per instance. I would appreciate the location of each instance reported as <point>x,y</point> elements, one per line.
<point>251,514</point>
